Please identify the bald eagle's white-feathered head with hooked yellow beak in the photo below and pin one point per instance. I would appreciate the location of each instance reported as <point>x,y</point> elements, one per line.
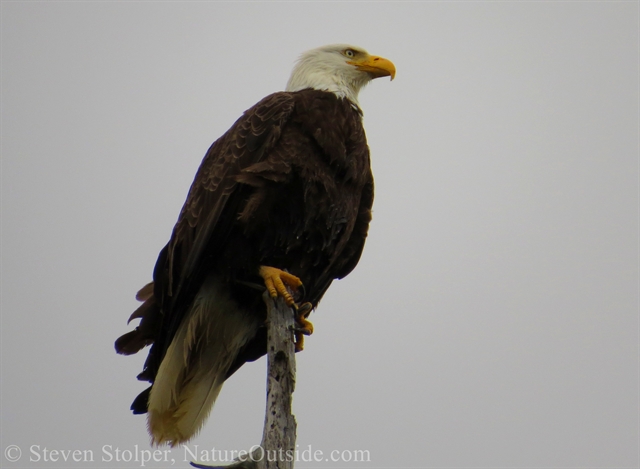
<point>339,68</point>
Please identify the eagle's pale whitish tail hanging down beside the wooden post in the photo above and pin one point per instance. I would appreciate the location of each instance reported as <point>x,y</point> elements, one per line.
<point>196,364</point>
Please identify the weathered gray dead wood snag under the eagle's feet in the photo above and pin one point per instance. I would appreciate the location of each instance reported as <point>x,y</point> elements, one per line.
<point>277,449</point>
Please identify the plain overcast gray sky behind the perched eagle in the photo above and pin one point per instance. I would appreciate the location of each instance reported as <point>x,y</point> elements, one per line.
<point>493,319</point>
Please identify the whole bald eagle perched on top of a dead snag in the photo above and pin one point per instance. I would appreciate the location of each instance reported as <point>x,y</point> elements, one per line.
<point>282,199</point>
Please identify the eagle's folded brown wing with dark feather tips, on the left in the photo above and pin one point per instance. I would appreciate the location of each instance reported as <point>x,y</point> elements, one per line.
<point>216,189</point>
